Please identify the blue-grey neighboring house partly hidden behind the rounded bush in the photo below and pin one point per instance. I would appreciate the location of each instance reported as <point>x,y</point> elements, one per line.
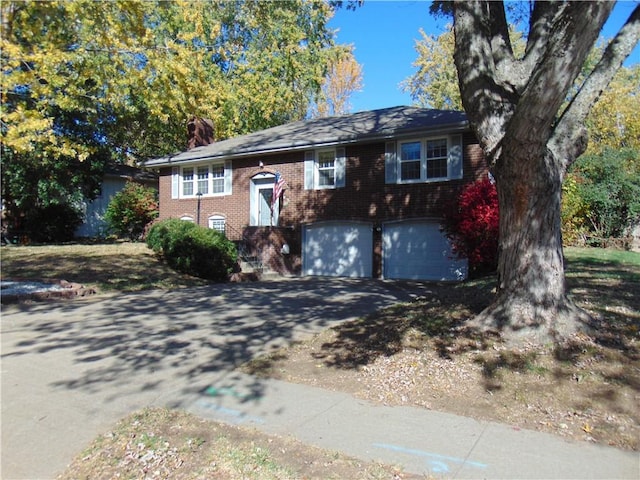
<point>115,178</point>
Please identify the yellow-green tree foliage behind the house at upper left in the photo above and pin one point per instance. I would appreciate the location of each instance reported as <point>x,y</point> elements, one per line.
<point>94,82</point>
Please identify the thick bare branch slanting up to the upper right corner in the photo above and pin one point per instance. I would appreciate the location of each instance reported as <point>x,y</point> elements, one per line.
<point>569,137</point>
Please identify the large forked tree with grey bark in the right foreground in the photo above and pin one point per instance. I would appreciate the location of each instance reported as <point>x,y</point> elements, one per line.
<point>530,135</point>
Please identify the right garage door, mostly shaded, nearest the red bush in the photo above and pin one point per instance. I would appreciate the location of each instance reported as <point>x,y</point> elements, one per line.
<point>417,250</point>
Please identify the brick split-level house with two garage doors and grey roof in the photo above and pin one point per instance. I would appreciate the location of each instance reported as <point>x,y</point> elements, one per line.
<point>363,194</point>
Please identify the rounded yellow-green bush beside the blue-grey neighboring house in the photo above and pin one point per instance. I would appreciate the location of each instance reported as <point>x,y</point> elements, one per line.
<point>131,210</point>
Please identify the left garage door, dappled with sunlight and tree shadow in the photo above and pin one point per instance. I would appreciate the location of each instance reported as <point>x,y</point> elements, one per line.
<point>338,249</point>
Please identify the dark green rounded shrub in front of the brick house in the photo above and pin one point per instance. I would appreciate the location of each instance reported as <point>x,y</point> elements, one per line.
<point>191,249</point>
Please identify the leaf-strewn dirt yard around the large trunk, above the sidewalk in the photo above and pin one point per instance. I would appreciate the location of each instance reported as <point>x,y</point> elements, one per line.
<point>419,354</point>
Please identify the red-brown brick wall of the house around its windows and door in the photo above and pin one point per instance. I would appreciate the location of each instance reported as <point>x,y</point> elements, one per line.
<point>365,197</point>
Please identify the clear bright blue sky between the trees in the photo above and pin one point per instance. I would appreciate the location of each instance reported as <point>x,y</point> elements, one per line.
<point>384,35</point>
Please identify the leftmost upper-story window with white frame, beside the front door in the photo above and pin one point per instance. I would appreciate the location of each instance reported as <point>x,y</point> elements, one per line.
<point>210,179</point>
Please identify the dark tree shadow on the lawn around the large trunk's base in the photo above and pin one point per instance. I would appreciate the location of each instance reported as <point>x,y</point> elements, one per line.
<point>606,289</point>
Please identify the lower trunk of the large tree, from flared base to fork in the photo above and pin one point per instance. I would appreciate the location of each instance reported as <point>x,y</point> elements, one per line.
<point>531,302</point>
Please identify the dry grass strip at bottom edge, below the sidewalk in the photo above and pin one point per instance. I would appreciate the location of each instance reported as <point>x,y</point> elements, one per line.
<point>160,444</point>
